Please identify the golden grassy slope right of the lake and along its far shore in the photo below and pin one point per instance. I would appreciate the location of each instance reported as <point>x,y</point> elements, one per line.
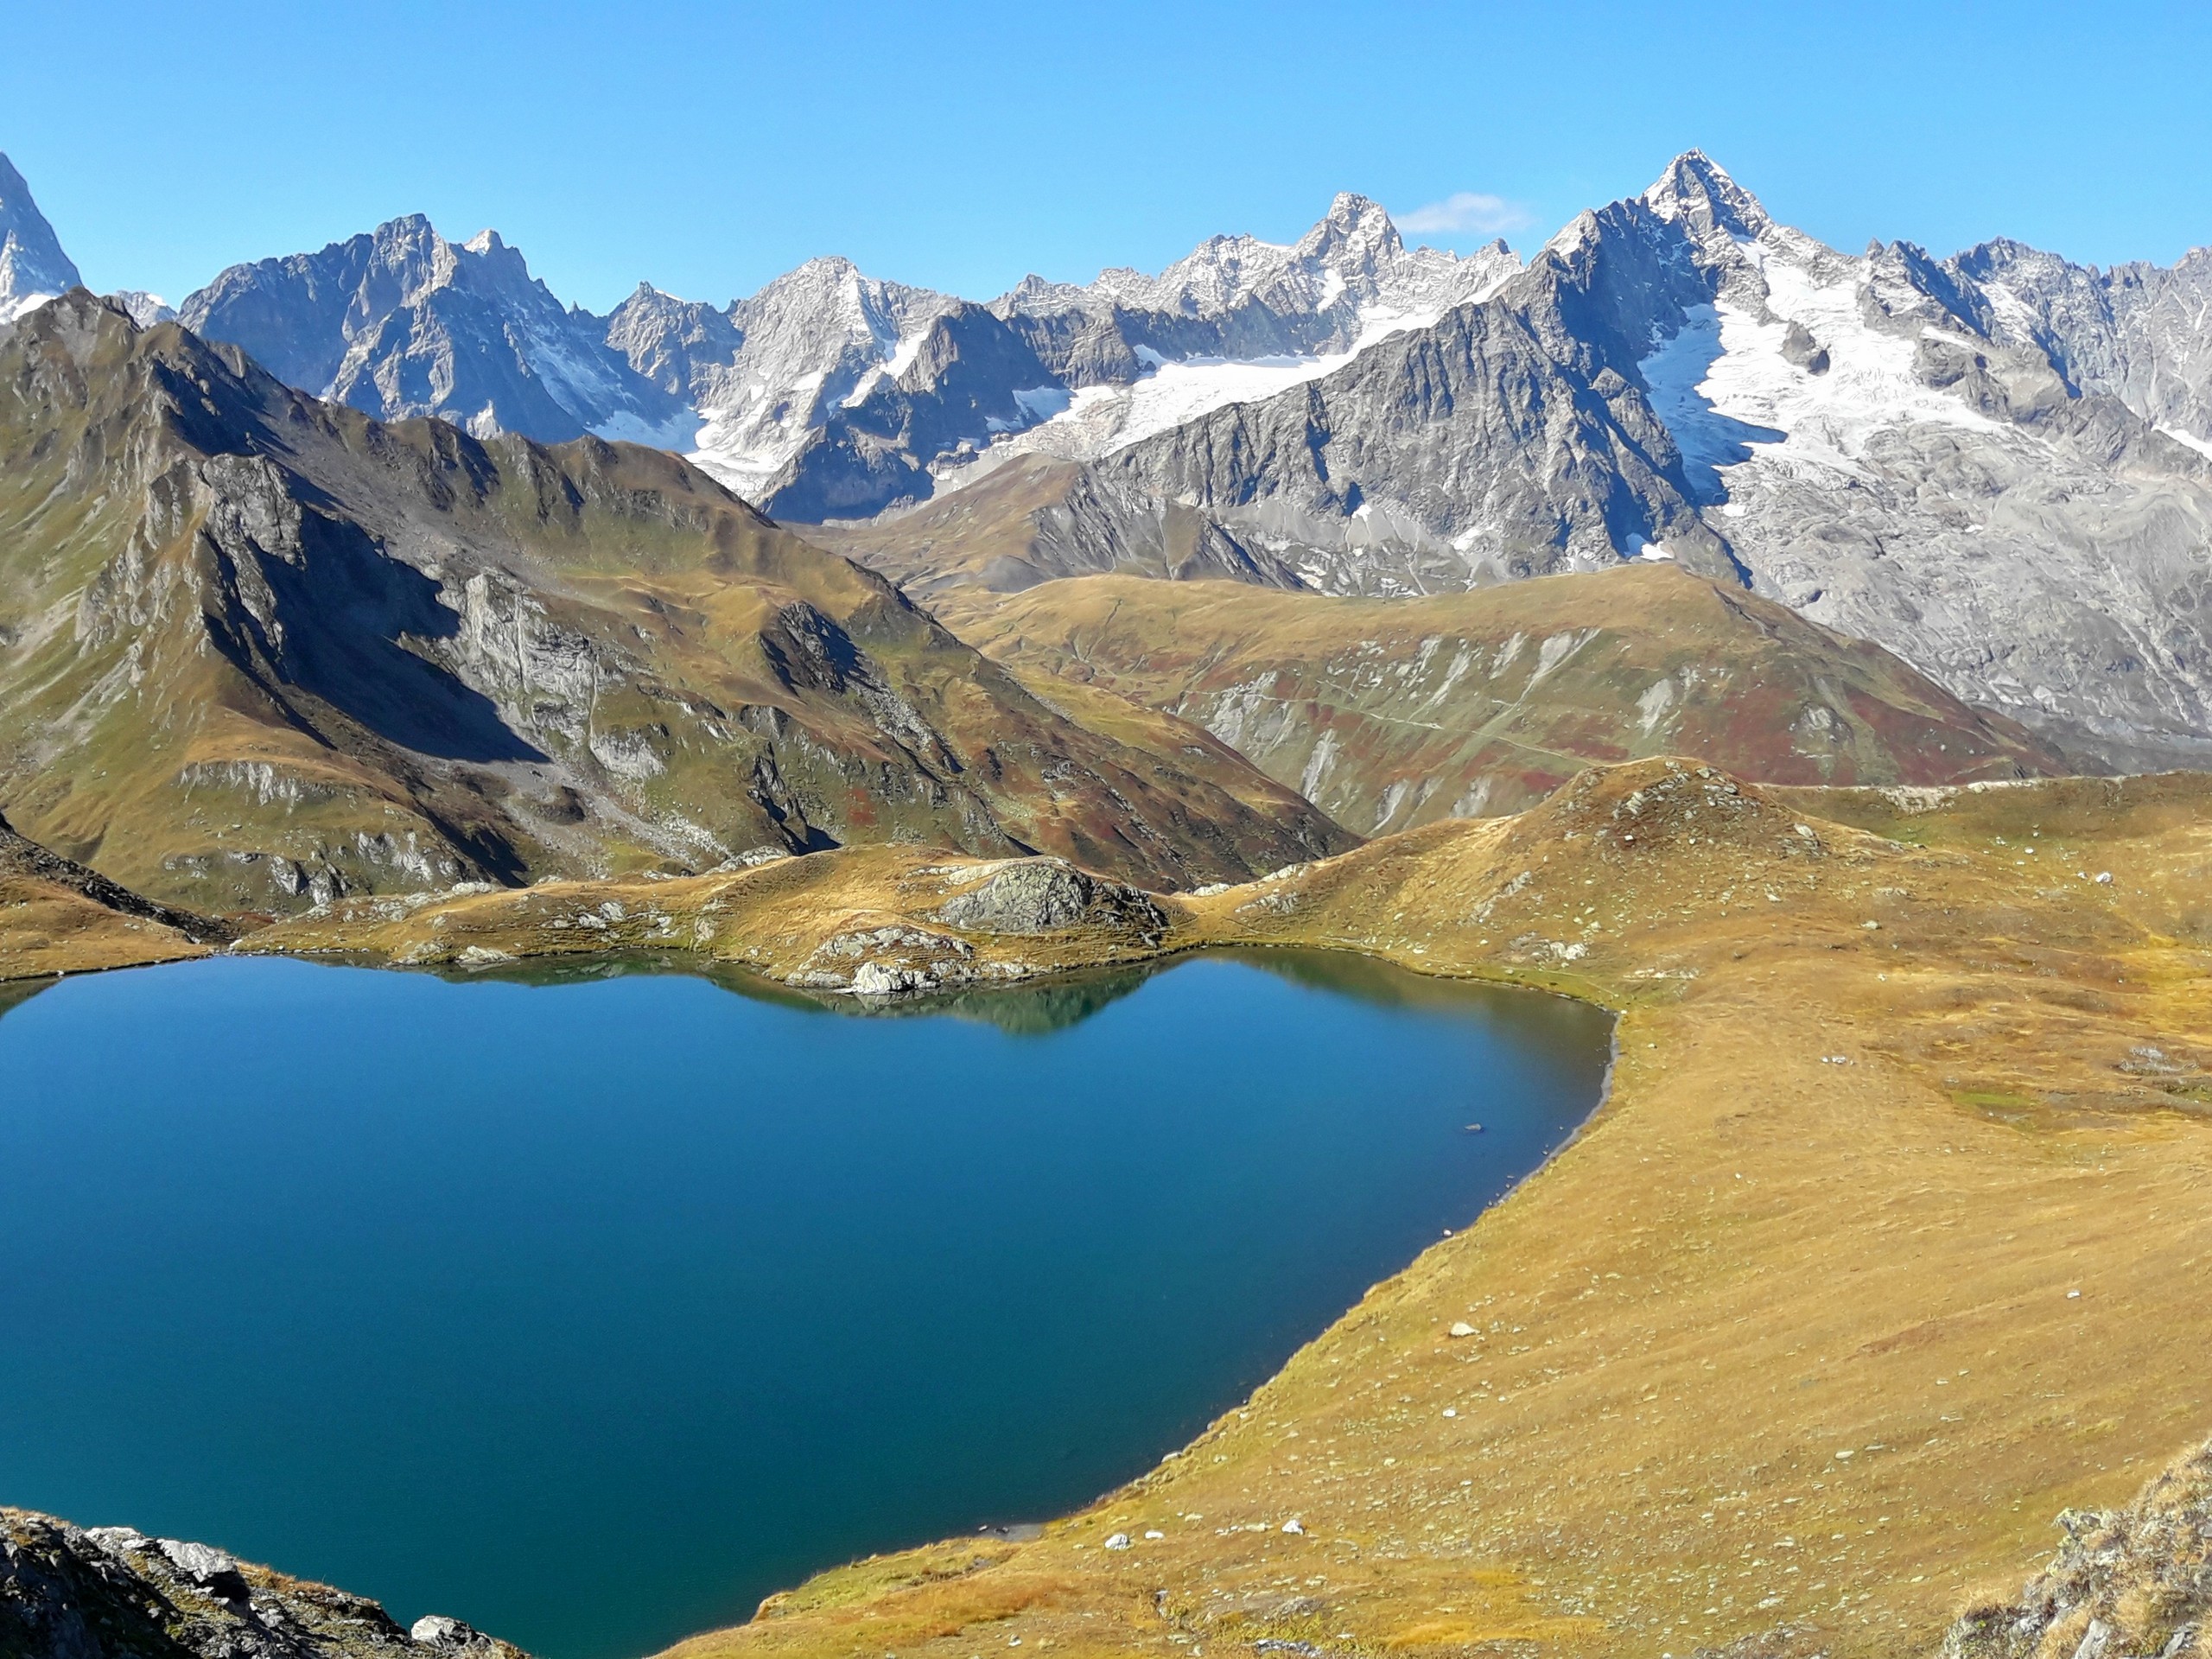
<point>1746,1266</point>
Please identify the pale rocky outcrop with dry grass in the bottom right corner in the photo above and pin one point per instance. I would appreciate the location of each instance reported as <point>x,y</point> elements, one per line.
<point>2127,1585</point>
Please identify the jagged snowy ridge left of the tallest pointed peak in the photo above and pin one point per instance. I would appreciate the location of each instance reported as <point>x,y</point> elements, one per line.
<point>828,393</point>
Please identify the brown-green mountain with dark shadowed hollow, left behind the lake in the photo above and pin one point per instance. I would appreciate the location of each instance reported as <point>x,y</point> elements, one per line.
<point>258,651</point>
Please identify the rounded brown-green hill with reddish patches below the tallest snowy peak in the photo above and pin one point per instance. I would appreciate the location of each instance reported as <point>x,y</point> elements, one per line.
<point>1401,713</point>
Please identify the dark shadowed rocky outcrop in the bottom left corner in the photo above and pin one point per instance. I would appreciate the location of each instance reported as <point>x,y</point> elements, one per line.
<point>116,1594</point>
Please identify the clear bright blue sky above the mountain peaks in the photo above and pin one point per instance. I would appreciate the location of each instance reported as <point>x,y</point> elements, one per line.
<point>707,147</point>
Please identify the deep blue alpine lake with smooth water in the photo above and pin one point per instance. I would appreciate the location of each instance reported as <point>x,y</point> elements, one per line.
<point>596,1308</point>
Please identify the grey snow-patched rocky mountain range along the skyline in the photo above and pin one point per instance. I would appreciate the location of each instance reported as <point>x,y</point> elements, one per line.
<point>1996,466</point>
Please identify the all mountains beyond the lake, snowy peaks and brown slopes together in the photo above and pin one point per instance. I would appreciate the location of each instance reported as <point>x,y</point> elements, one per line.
<point>1994,468</point>
